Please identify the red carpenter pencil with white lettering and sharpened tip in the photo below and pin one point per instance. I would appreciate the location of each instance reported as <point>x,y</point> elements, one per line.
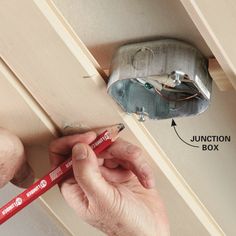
<point>103,141</point>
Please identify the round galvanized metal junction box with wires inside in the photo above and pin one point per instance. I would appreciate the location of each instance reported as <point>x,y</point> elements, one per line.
<point>160,79</point>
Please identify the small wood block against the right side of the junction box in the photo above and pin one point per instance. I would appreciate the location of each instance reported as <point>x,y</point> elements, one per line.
<point>218,75</point>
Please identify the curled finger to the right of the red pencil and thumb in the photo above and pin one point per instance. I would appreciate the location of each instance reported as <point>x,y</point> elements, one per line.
<point>129,156</point>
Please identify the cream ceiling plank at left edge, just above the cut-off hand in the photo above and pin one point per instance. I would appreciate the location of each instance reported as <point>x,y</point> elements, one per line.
<point>16,115</point>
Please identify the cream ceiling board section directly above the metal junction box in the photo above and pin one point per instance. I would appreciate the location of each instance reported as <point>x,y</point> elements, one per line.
<point>103,25</point>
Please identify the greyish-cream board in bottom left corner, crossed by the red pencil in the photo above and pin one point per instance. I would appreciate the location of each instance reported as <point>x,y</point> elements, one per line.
<point>33,220</point>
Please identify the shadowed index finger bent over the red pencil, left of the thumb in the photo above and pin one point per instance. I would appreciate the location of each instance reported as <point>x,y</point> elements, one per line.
<point>60,149</point>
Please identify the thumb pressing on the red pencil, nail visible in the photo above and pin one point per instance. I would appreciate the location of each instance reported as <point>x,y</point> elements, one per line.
<point>87,172</point>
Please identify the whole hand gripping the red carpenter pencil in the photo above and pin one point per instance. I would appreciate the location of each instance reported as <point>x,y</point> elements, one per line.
<point>114,191</point>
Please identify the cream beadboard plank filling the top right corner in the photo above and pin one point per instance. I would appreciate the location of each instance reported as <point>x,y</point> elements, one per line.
<point>216,22</point>
